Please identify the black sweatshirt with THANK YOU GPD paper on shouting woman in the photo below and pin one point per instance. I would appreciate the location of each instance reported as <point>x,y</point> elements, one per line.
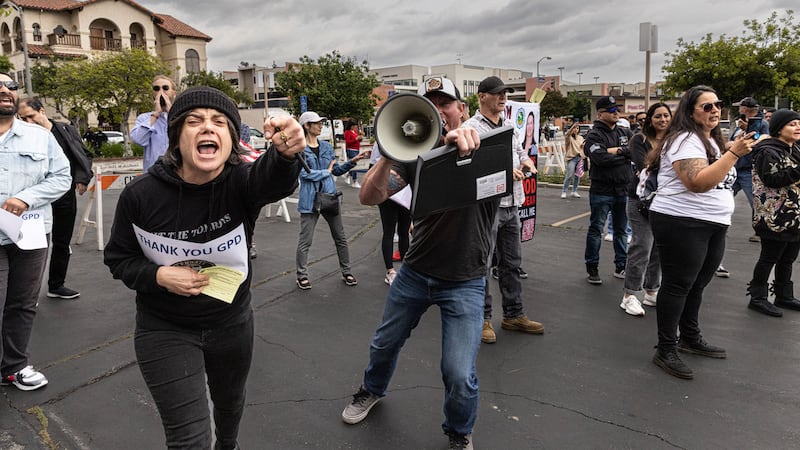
<point>172,216</point>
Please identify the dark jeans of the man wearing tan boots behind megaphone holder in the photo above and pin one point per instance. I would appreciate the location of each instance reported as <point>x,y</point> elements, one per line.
<point>505,239</point>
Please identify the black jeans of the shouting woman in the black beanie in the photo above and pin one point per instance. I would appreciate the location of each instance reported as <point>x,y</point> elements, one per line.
<point>175,364</point>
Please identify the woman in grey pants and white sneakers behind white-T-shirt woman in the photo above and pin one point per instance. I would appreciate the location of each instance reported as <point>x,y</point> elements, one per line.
<point>642,269</point>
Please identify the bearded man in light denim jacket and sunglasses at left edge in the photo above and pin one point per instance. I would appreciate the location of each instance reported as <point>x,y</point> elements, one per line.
<point>37,173</point>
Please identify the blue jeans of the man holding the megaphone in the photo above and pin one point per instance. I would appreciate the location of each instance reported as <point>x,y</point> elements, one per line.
<point>461,308</point>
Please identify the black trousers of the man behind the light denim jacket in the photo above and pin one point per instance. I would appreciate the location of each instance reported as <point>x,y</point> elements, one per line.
<point>64,211</point>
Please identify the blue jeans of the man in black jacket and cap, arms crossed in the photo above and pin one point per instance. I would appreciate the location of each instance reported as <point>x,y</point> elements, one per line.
<point>600,205</point>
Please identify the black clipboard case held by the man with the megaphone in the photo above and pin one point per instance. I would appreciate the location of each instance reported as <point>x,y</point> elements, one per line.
<point>444,181</point>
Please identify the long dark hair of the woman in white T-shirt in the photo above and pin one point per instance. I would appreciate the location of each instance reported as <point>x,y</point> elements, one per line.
<point>682,122</point>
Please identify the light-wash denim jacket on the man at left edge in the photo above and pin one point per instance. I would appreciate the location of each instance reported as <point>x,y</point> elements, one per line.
<point>33,168</point>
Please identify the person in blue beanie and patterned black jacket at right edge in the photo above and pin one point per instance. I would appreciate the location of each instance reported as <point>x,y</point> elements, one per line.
<point>776,206</point>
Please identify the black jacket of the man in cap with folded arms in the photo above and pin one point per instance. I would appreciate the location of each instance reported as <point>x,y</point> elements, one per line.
<point>609,173</point>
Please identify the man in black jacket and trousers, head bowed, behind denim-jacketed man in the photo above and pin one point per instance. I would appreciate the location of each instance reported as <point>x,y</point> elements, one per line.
<point>65,209</point>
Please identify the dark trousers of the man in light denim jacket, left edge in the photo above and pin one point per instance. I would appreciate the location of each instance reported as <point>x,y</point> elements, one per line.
<point>21,273</point>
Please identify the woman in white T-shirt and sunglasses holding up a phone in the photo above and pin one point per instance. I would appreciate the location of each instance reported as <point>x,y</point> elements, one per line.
<point>689,216</point>
